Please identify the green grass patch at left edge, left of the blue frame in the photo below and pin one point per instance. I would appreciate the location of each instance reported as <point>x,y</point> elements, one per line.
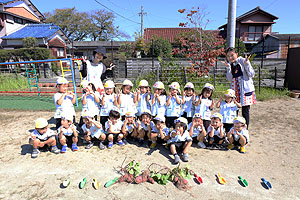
<point>10,82</point>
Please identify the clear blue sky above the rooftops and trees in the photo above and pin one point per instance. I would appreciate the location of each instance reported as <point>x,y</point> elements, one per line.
<point>164,13</point>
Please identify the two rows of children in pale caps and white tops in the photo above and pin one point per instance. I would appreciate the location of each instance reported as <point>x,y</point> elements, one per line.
<point>142,116</point>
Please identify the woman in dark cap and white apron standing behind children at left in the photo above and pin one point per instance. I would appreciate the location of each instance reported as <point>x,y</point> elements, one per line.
<point>93,70</point>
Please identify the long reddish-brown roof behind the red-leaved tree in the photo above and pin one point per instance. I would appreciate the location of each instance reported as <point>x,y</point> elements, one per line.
<point>166,33</point>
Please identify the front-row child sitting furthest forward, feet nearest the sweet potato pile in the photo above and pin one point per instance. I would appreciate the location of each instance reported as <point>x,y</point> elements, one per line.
<point>180,140</point>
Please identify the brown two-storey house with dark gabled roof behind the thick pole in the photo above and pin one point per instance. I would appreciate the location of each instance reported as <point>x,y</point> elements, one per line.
<point>252,25</point>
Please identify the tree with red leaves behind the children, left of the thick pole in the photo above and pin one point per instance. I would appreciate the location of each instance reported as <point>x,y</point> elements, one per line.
<point>201,47</point>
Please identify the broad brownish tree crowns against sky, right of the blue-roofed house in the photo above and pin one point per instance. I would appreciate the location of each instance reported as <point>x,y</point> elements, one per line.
<point>78,26</point>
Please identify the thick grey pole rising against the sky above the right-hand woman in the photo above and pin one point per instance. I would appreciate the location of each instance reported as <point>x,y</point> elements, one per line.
<point>231,24</point>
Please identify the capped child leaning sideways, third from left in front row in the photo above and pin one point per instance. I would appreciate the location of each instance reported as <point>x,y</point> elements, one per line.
<point>92,129</point>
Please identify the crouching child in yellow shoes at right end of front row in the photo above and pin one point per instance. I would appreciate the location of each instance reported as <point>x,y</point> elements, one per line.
<point>238,135</point>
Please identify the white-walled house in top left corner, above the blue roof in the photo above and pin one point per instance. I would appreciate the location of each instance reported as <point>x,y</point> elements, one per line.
<point>14,14</point>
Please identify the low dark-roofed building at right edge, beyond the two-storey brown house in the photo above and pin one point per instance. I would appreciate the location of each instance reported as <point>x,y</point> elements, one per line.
<point>276,45</point>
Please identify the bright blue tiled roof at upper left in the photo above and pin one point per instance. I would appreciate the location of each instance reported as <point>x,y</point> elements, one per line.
<point>34,30</point>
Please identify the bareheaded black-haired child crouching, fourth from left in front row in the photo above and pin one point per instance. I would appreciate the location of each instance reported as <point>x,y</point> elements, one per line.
<point>113,127</point>
